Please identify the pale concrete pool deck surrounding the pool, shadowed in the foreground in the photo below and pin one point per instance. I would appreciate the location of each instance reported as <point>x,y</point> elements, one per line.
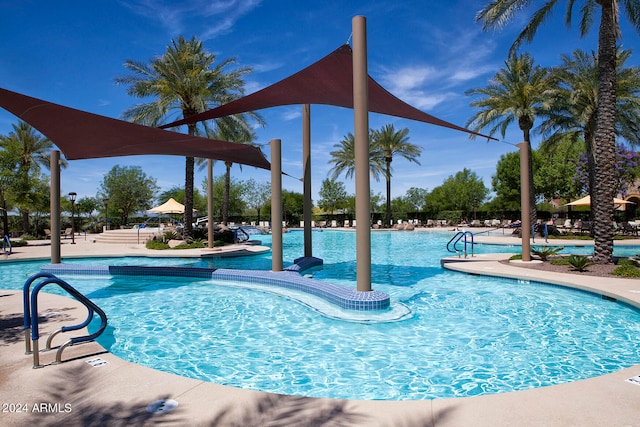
<point>117,392</point>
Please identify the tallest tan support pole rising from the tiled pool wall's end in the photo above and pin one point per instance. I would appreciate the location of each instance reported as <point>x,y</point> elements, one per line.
<point>361,132</point>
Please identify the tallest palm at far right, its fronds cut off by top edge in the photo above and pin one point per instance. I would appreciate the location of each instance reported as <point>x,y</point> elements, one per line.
<point>498,13</point>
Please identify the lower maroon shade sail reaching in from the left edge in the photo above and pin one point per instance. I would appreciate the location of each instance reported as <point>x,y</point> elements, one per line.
<point>82,135</point>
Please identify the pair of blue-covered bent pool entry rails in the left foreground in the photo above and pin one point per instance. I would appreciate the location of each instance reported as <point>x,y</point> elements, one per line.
<point>92,308</point>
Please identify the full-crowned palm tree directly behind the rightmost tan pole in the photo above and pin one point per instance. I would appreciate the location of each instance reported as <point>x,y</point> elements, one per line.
<point>517,93</point>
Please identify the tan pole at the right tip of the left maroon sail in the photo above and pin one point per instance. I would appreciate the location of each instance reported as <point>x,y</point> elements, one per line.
<point>276,204</point>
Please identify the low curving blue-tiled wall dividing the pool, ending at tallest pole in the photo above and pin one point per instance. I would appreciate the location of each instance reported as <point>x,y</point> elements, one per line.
<point>343,297</point>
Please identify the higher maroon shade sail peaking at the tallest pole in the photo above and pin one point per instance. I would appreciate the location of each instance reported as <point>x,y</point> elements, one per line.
<point>328,81</point>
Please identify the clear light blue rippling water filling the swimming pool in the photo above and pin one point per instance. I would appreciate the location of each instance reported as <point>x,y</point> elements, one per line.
<point>466,335</point>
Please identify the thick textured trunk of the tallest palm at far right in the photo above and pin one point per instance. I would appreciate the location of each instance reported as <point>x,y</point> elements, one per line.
<point>604,149</point>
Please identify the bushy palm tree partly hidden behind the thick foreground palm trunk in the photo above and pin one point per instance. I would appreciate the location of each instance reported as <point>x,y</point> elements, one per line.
<point>573,112</point>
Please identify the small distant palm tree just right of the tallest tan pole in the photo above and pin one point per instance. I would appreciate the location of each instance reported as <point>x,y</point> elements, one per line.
<point>388,143</point>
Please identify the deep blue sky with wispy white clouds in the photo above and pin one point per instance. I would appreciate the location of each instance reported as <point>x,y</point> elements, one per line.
<point>426,53</point>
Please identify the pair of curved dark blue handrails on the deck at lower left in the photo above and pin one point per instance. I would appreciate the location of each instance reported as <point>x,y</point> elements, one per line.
<point>31,322</point>
